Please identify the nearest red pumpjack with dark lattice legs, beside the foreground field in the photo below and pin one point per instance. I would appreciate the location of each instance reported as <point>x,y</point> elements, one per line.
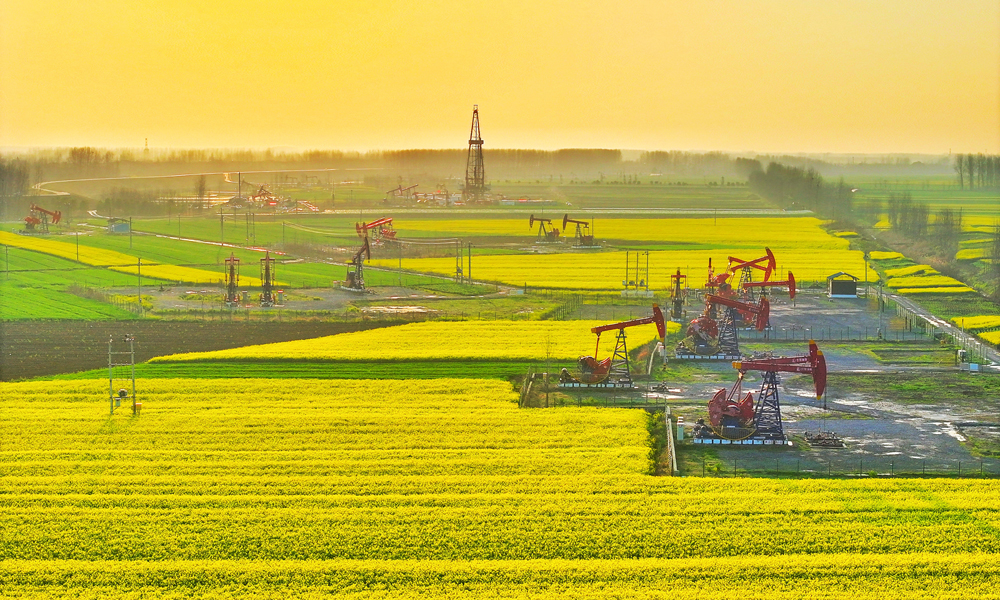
<point>734,416</point>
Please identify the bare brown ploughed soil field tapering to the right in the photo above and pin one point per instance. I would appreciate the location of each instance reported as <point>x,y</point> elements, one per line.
<point>39,348</point>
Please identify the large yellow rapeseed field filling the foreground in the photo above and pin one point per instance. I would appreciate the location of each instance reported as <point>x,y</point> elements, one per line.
<point>433,489</point>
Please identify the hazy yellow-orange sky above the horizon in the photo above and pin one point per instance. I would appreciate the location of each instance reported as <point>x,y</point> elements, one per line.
<point>761,75</point>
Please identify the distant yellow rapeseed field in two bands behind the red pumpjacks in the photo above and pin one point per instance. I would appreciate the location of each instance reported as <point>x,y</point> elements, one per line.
<point>800,245</point>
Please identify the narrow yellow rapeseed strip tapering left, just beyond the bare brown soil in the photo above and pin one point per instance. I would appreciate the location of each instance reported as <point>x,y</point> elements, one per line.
<point>442,340</point>
